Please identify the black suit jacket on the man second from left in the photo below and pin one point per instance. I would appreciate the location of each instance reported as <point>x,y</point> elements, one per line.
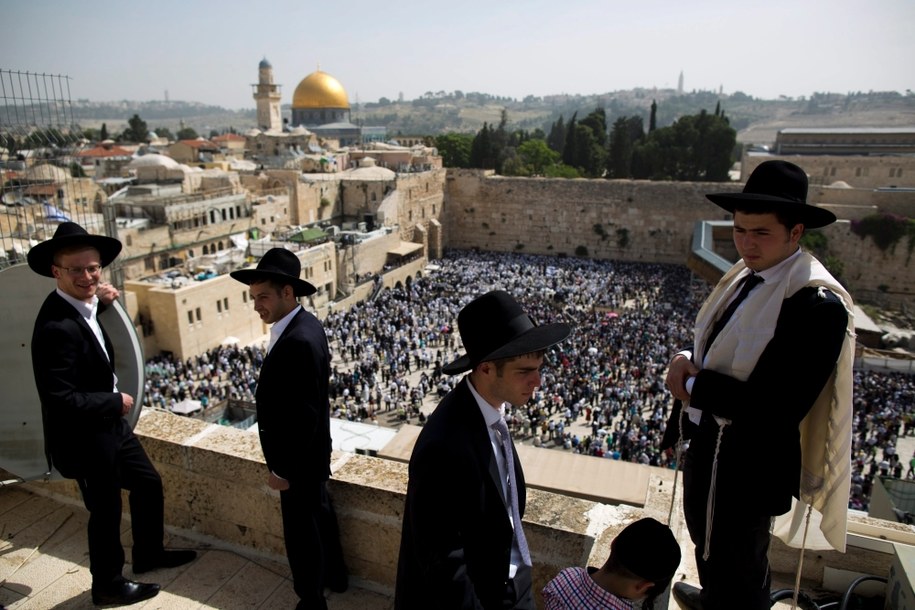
<point>293,408</point>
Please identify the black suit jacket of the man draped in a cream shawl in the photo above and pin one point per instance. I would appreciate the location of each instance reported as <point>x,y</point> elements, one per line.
<point>759,461</point>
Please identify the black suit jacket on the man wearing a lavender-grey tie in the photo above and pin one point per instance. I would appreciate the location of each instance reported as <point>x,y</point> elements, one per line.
<point>457,538</point>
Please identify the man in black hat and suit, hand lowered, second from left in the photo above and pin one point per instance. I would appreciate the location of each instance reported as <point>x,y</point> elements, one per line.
<point>293,421</point>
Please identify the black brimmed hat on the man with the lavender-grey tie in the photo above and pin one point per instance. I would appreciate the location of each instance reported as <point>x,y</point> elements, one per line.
<point>494,326</point>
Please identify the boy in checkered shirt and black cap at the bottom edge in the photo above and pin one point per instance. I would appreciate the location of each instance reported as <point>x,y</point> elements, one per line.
<point>643,559</point>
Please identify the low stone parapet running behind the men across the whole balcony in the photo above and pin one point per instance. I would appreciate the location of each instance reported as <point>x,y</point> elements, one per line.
<point>215,493</point>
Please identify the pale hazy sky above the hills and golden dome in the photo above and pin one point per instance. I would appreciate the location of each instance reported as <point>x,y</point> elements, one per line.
<point>208,51</point>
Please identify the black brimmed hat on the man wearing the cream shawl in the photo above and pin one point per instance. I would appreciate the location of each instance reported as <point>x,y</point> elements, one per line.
<point>776,184</point>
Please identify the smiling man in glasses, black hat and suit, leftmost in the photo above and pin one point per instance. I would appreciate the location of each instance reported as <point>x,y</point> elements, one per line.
<point>87,437</point>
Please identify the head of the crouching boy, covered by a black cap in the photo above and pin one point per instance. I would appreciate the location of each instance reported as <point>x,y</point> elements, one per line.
<point>646,552</point>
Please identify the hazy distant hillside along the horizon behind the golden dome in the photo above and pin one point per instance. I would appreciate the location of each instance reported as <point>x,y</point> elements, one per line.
<point>756,121</point>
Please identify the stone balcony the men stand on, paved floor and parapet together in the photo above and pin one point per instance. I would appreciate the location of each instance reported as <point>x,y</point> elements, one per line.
<point>217,502</point>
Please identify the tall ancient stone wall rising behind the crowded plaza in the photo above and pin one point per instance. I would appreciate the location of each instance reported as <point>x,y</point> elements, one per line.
<point>630,220</point>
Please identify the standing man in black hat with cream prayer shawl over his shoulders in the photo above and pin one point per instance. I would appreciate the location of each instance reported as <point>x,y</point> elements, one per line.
<point>766,386</point>
